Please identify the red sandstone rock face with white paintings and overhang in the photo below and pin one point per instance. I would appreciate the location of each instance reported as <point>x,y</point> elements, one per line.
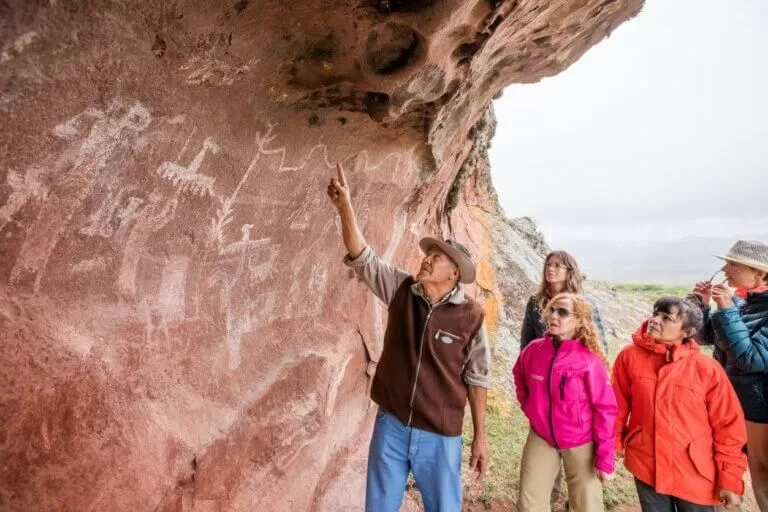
<point>178,331</point>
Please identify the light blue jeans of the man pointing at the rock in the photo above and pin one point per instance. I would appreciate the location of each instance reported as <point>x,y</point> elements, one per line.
<point>397,450</point>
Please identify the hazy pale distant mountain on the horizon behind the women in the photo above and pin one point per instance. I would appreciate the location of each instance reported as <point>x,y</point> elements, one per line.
<point>677,262</point>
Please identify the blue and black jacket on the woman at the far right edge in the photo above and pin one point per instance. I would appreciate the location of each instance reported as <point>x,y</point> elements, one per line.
<point>740,336</point>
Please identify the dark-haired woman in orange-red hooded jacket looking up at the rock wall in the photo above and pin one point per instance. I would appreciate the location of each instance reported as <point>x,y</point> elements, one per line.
<point>680,427</point>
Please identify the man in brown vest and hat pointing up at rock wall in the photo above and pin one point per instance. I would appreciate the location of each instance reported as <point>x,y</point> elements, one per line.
<point>435,357</point>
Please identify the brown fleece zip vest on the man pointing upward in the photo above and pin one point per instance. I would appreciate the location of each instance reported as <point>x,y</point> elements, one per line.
<point>430,395</point>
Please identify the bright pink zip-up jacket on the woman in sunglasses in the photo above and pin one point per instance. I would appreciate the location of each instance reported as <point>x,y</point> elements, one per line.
<point>567,396</point>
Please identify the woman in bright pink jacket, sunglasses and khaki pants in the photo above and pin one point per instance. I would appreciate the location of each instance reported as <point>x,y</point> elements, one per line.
<point>563,387</point>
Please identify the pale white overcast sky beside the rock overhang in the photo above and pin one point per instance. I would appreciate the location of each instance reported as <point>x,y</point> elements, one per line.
<point>658,132</point>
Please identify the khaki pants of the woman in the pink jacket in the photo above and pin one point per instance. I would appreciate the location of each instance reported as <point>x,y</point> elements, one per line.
<point>539,467</point>
